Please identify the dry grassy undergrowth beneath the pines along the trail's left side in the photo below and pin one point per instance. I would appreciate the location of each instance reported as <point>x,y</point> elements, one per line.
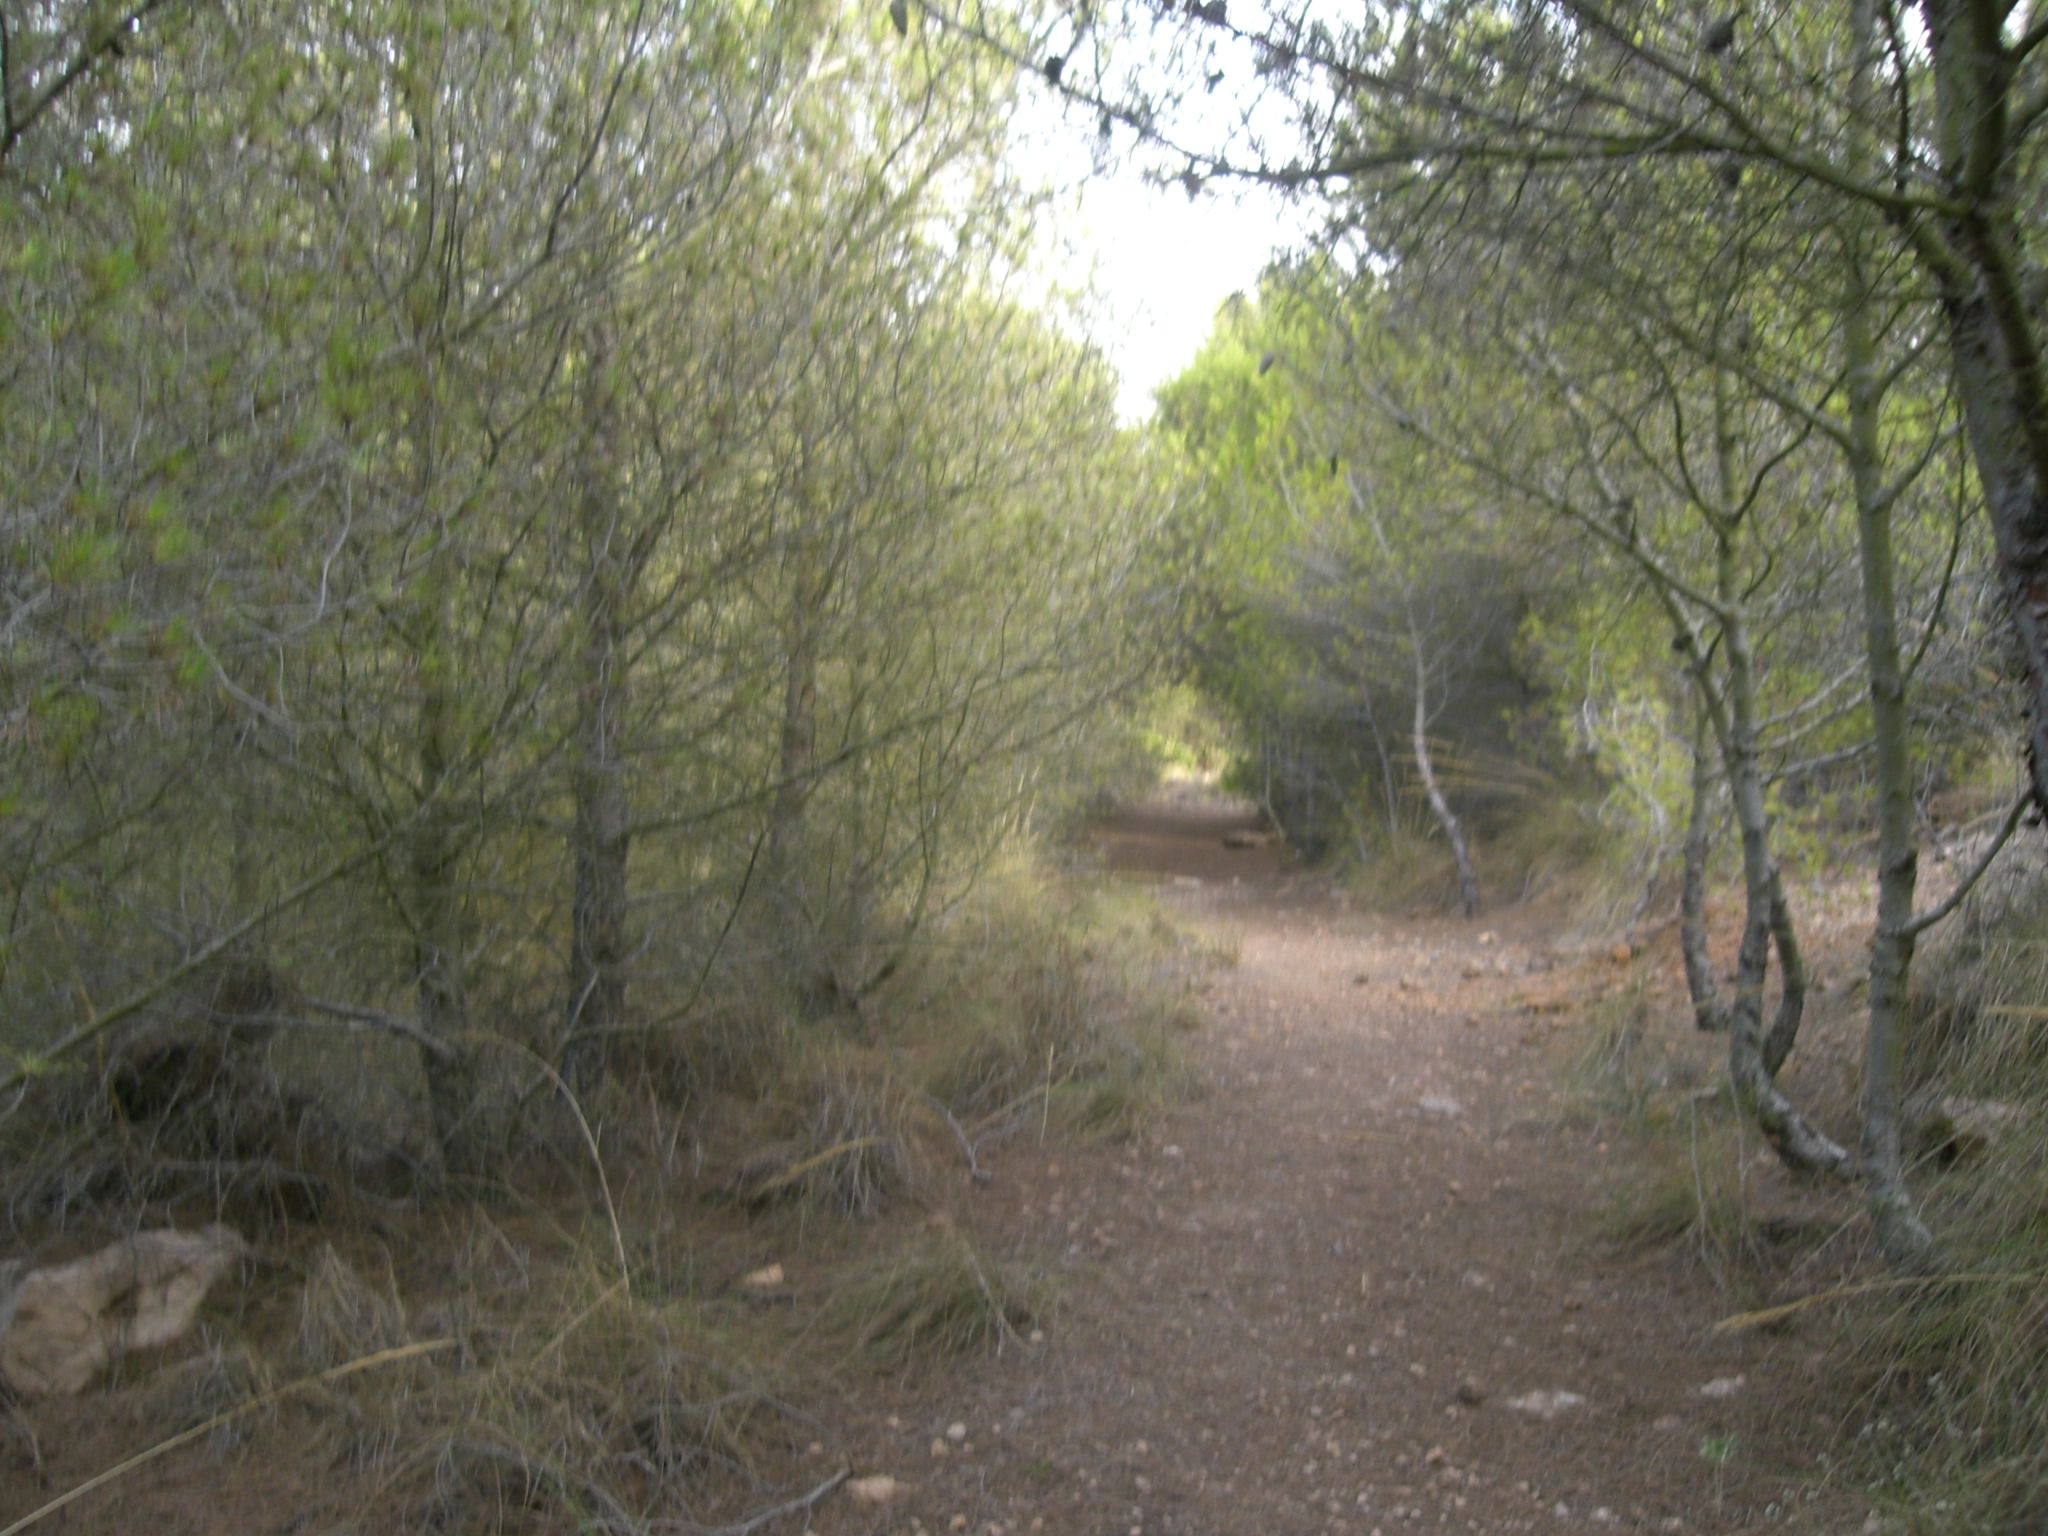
<point>595,1336</point>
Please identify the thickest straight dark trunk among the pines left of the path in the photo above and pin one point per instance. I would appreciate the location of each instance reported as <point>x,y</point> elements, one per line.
<point>601,843</point>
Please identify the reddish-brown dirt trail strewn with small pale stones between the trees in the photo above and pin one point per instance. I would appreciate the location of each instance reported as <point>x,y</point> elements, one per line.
<point>1349,1283</point>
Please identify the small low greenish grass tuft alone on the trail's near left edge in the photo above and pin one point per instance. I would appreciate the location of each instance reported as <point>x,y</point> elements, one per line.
<point>939,1297</point>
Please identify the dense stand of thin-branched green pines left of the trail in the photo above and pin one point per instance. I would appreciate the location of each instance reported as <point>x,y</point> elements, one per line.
<point>521,521</point>
